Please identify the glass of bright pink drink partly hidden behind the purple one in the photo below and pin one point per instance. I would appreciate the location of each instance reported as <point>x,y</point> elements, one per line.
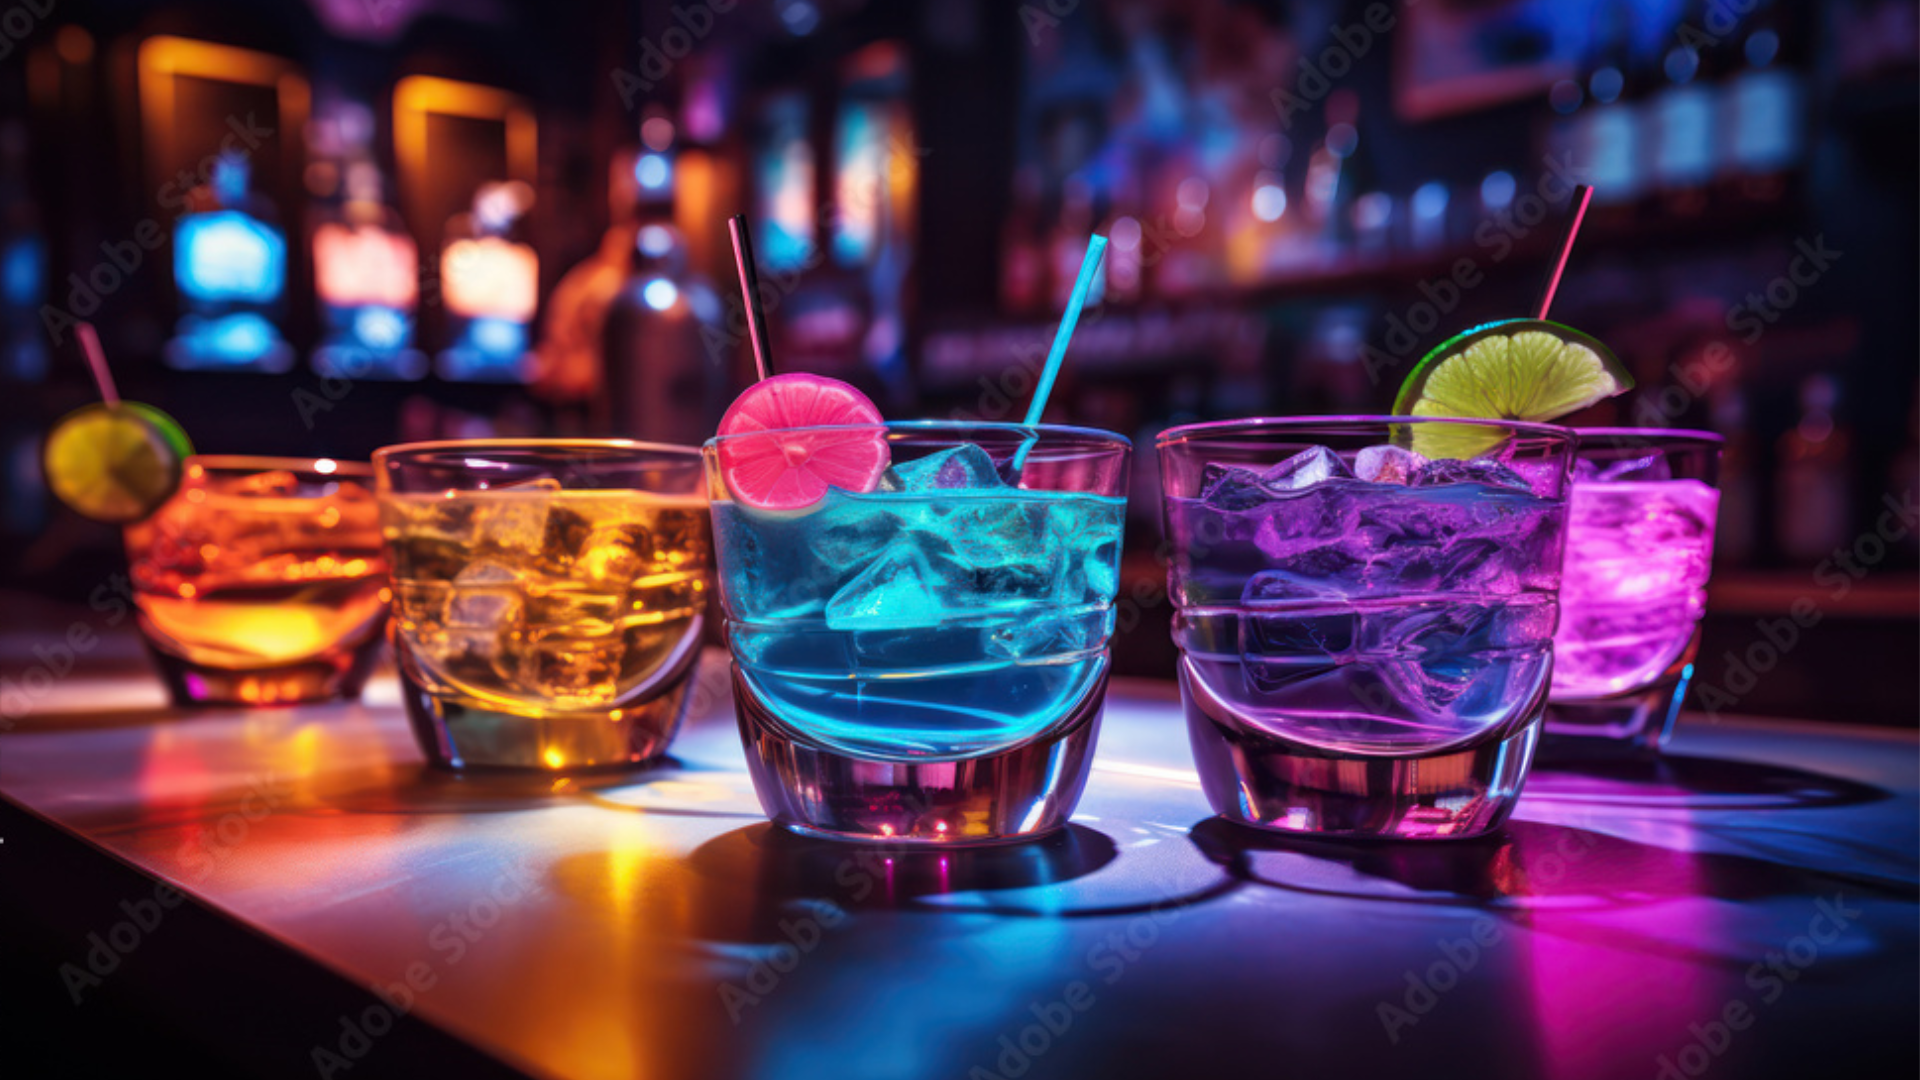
<point>1639,554</point>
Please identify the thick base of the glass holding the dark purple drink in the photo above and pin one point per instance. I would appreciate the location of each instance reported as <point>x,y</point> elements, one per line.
<point>1260,779</point>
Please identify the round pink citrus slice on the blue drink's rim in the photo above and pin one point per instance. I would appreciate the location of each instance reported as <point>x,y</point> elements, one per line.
<point>780,449</point>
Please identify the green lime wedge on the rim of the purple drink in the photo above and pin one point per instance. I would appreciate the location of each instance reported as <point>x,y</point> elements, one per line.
<point>1518,370</point>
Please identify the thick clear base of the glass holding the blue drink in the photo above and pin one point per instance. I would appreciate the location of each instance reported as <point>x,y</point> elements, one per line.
<point>1015,795</point>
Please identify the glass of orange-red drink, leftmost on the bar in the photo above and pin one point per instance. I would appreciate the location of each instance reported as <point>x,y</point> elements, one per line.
<point>262,581</point>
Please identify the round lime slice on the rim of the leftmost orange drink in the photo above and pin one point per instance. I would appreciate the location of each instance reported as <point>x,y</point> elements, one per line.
<point>116,464</point>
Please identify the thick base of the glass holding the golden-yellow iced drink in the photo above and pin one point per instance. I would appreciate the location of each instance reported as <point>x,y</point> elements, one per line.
<point>458,733</point>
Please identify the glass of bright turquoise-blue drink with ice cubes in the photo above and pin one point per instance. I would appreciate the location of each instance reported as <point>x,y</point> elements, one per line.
<point>928,662</point>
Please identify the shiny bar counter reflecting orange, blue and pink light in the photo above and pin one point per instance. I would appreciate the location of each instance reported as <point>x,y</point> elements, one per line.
<point>1744,908</point>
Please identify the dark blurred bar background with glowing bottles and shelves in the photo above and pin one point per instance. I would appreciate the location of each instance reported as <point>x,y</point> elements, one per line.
<point>327,226</point>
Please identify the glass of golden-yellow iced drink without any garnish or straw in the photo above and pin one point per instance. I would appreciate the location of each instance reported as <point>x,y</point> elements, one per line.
<point>548,597</point>
